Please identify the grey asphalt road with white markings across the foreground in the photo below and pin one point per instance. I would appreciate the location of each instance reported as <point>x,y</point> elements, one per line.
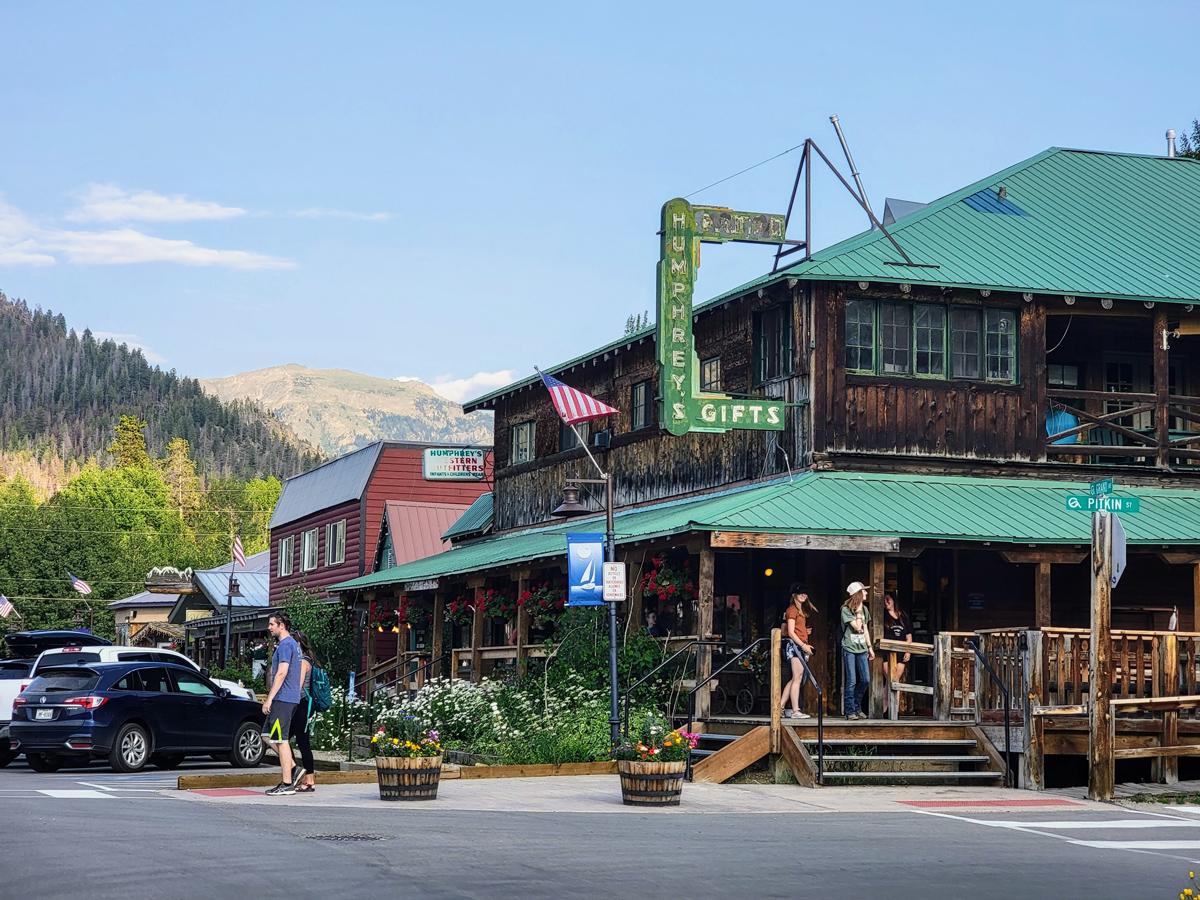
<point>127,837</point>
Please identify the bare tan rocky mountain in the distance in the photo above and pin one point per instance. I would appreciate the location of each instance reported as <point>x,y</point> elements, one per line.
<point>341,411</point>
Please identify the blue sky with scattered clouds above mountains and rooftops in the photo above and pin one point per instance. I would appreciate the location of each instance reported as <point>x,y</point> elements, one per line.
<point>463,193</point>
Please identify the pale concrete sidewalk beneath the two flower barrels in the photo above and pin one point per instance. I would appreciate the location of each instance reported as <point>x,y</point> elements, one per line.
<point>602,794</point>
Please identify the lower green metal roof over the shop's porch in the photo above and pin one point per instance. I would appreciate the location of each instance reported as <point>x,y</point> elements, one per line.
<point>915,507</point>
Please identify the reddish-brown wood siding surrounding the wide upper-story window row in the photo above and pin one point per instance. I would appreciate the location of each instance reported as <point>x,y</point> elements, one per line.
<point>923,417</point>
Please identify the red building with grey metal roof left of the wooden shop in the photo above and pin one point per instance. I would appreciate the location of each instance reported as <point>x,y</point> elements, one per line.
<point>327,526</point>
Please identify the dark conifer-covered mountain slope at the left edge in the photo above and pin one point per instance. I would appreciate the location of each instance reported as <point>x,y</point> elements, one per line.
<point>63,393</point>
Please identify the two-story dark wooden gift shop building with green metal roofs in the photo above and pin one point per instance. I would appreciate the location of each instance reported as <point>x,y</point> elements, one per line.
<point>1039,331</point>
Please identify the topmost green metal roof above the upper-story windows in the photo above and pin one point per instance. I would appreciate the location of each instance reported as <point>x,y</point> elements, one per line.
<point>1077,223</point>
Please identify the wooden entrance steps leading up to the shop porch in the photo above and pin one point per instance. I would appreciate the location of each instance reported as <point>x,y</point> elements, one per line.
<point>865,753</point>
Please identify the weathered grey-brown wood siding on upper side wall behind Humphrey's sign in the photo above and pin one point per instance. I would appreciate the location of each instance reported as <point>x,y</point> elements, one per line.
<point>650,464</point>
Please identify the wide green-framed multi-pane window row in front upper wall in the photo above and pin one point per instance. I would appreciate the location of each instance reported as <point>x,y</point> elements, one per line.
<point>931,340</point>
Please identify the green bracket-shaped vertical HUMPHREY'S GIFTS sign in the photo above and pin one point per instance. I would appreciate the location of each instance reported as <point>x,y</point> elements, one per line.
<point>685,409</point>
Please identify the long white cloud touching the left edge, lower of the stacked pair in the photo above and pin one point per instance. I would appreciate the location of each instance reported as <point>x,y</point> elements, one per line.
<point>25,243</point>
